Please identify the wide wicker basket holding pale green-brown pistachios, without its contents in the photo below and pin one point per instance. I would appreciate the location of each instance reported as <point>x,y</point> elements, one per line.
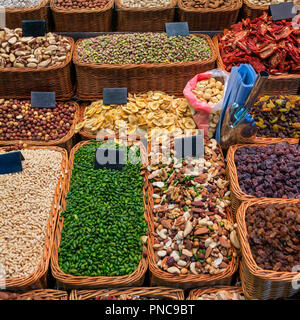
<point>168,77</point>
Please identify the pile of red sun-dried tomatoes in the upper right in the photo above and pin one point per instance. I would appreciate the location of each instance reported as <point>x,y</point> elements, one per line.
<point>265,44</point>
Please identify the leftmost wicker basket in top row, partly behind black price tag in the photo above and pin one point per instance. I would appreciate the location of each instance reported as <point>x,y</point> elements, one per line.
<point>15,16</point>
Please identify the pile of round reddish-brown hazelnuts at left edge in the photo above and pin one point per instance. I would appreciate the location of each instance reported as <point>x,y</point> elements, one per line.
<point>18,121</point>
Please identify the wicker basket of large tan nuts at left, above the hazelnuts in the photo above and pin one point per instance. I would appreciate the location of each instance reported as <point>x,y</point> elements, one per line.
<point>18,82</point>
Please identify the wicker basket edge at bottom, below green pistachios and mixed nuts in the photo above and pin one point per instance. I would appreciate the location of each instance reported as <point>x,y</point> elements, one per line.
<point>160,293</point>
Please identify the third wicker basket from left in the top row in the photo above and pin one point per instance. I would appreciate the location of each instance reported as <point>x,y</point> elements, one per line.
<point>144,19</point>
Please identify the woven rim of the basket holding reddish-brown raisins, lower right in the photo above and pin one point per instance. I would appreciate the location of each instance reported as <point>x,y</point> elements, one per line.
<point>254,269</point>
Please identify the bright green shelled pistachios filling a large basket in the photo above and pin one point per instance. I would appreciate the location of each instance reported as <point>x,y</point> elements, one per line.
<point>104,226</point>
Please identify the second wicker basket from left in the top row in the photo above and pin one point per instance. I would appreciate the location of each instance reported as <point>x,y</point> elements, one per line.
<point>82,20</point>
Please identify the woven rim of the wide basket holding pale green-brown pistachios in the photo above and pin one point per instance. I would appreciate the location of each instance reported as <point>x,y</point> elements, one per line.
<point>146,65</point>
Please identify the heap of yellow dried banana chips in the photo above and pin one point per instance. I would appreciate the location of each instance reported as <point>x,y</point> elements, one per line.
<point>144,111</point>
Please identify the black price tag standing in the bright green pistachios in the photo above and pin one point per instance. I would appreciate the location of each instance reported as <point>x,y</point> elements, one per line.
<point>109,158</point>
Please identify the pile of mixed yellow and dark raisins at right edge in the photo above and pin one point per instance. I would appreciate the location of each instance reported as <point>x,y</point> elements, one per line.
<point>277,117</point>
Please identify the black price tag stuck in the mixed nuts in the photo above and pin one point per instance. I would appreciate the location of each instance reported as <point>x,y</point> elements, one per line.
<point>189,146</point>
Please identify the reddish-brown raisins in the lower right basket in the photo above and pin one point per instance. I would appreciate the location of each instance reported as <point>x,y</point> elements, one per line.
<point>273,233</point>
